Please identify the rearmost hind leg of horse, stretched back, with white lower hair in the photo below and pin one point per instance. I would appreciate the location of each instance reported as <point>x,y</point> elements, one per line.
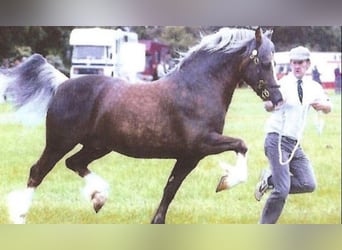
<point>19,202</point>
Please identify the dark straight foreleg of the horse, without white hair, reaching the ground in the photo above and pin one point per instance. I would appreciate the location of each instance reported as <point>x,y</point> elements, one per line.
<point>181,169</point>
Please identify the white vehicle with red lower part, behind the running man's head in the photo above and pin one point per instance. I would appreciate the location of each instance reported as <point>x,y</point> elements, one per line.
<point>325,62</point>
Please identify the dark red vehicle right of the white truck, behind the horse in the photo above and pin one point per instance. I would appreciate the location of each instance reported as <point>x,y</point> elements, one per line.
<point>155,53</point>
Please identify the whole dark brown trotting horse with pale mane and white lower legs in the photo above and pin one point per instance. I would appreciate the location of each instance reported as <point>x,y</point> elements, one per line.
<point>180,116</point>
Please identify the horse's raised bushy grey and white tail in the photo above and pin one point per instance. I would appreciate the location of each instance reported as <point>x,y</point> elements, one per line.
<point>30,87</point>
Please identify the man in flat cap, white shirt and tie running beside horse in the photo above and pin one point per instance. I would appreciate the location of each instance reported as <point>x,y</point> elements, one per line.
<point>290,170</point>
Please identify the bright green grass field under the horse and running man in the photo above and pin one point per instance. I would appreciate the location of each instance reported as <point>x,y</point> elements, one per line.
<point>137,184</point>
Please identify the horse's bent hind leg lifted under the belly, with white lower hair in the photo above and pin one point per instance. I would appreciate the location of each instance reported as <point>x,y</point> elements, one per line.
<point>96,188</point>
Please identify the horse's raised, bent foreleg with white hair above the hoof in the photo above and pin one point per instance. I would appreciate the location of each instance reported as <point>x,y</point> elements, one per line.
<point>233,175</point>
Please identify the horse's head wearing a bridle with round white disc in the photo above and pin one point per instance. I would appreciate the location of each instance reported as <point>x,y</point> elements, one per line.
<point>257,67</point>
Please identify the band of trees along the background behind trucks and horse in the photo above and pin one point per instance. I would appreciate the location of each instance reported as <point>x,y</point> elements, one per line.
<point>52,40</point>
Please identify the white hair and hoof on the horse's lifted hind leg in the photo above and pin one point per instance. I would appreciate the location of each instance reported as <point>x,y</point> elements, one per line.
<point>96,190</point>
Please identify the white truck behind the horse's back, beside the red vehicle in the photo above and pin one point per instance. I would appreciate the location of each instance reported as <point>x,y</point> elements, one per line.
<point>109,52</point>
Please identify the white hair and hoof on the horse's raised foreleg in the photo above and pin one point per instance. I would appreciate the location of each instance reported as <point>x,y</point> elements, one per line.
<point>233,175</point>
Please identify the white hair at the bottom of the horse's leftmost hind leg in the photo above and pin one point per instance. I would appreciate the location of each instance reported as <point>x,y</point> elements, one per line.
<point>19,203</point>
